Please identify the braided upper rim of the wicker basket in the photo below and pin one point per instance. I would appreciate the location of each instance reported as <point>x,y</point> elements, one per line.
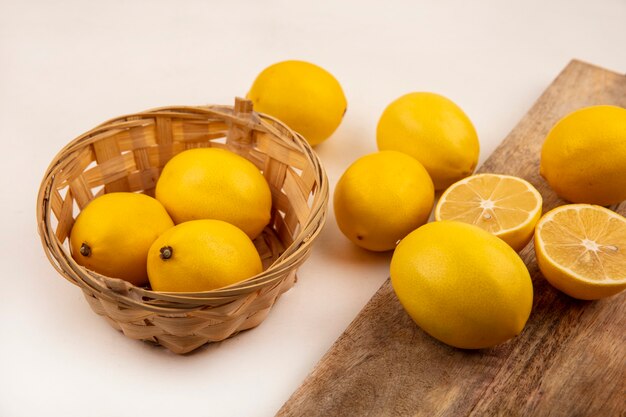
<point>122,292</point>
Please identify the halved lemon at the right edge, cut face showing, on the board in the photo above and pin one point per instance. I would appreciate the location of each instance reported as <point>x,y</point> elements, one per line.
<point>581,250</point>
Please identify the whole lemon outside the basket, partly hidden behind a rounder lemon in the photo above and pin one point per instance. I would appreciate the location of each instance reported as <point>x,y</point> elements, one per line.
<point>435,131</point>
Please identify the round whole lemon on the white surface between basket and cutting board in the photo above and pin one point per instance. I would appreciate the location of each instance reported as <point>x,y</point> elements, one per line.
<point>381,198</point>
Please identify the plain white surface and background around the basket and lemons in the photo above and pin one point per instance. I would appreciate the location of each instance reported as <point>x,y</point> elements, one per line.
<point>66,66</point>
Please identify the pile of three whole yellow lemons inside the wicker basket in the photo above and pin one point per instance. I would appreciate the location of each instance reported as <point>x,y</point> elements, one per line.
<point>196,235</point>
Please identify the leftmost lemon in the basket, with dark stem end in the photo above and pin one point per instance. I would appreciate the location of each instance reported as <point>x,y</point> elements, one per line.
<point>113,233</point>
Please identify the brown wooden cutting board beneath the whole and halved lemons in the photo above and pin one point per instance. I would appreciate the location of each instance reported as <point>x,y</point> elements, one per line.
<point>570,360</point>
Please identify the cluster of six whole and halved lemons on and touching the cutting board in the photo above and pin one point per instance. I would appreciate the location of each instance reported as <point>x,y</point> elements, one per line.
<point>460,278</point>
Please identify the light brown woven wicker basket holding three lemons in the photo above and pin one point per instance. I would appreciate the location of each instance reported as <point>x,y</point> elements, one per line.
<point>127,154</point>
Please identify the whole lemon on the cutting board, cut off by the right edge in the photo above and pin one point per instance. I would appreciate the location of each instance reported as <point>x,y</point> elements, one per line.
<point>584,156</point>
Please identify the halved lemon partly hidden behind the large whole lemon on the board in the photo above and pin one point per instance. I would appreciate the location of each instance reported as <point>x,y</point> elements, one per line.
<point>505,206</point>
